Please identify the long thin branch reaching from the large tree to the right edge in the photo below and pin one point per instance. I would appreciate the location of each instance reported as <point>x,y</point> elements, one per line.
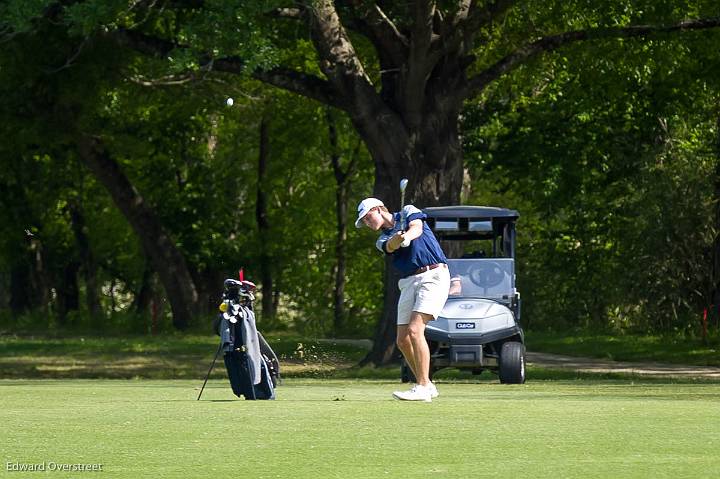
<point>550,43</point>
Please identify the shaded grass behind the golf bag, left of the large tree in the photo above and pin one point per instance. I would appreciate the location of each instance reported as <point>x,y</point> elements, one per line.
<point>176,357</point>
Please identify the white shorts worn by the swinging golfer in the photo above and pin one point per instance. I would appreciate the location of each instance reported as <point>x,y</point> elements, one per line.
<point>425,293</point>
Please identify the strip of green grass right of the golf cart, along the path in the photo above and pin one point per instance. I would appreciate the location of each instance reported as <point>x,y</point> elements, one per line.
<point>669,349</point>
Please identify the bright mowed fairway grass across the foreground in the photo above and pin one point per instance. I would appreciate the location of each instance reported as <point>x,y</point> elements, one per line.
<point>353,429</point>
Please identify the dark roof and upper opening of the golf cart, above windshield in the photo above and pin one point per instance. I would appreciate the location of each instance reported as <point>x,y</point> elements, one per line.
<point>471,222</point>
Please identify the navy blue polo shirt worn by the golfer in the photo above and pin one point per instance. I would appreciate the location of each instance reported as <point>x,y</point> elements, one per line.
<point>423,251</point>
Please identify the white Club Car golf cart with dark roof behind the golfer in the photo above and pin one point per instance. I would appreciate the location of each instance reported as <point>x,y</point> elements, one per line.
<point>479,327</point>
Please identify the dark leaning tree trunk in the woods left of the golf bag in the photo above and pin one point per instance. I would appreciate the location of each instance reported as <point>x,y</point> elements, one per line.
<point>164,255</point>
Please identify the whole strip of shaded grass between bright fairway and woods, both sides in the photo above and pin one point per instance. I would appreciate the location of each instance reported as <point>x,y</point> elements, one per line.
<point>189,356</point>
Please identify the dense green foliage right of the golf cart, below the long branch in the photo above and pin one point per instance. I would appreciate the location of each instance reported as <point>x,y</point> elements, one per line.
<point>608,156</point>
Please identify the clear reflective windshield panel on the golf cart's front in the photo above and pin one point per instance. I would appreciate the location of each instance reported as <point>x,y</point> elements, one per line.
<point>492,278</point>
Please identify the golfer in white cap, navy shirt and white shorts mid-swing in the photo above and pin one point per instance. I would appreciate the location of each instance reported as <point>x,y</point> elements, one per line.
<point>423,287</point>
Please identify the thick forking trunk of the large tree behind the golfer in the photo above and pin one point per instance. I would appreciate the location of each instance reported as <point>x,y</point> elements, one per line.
<point>410,128</point>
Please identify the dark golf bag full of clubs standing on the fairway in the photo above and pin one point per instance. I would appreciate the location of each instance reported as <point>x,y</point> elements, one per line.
<point>252,366</point>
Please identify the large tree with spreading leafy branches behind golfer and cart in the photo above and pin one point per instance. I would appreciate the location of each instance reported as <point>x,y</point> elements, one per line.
<point>401,71</point>
